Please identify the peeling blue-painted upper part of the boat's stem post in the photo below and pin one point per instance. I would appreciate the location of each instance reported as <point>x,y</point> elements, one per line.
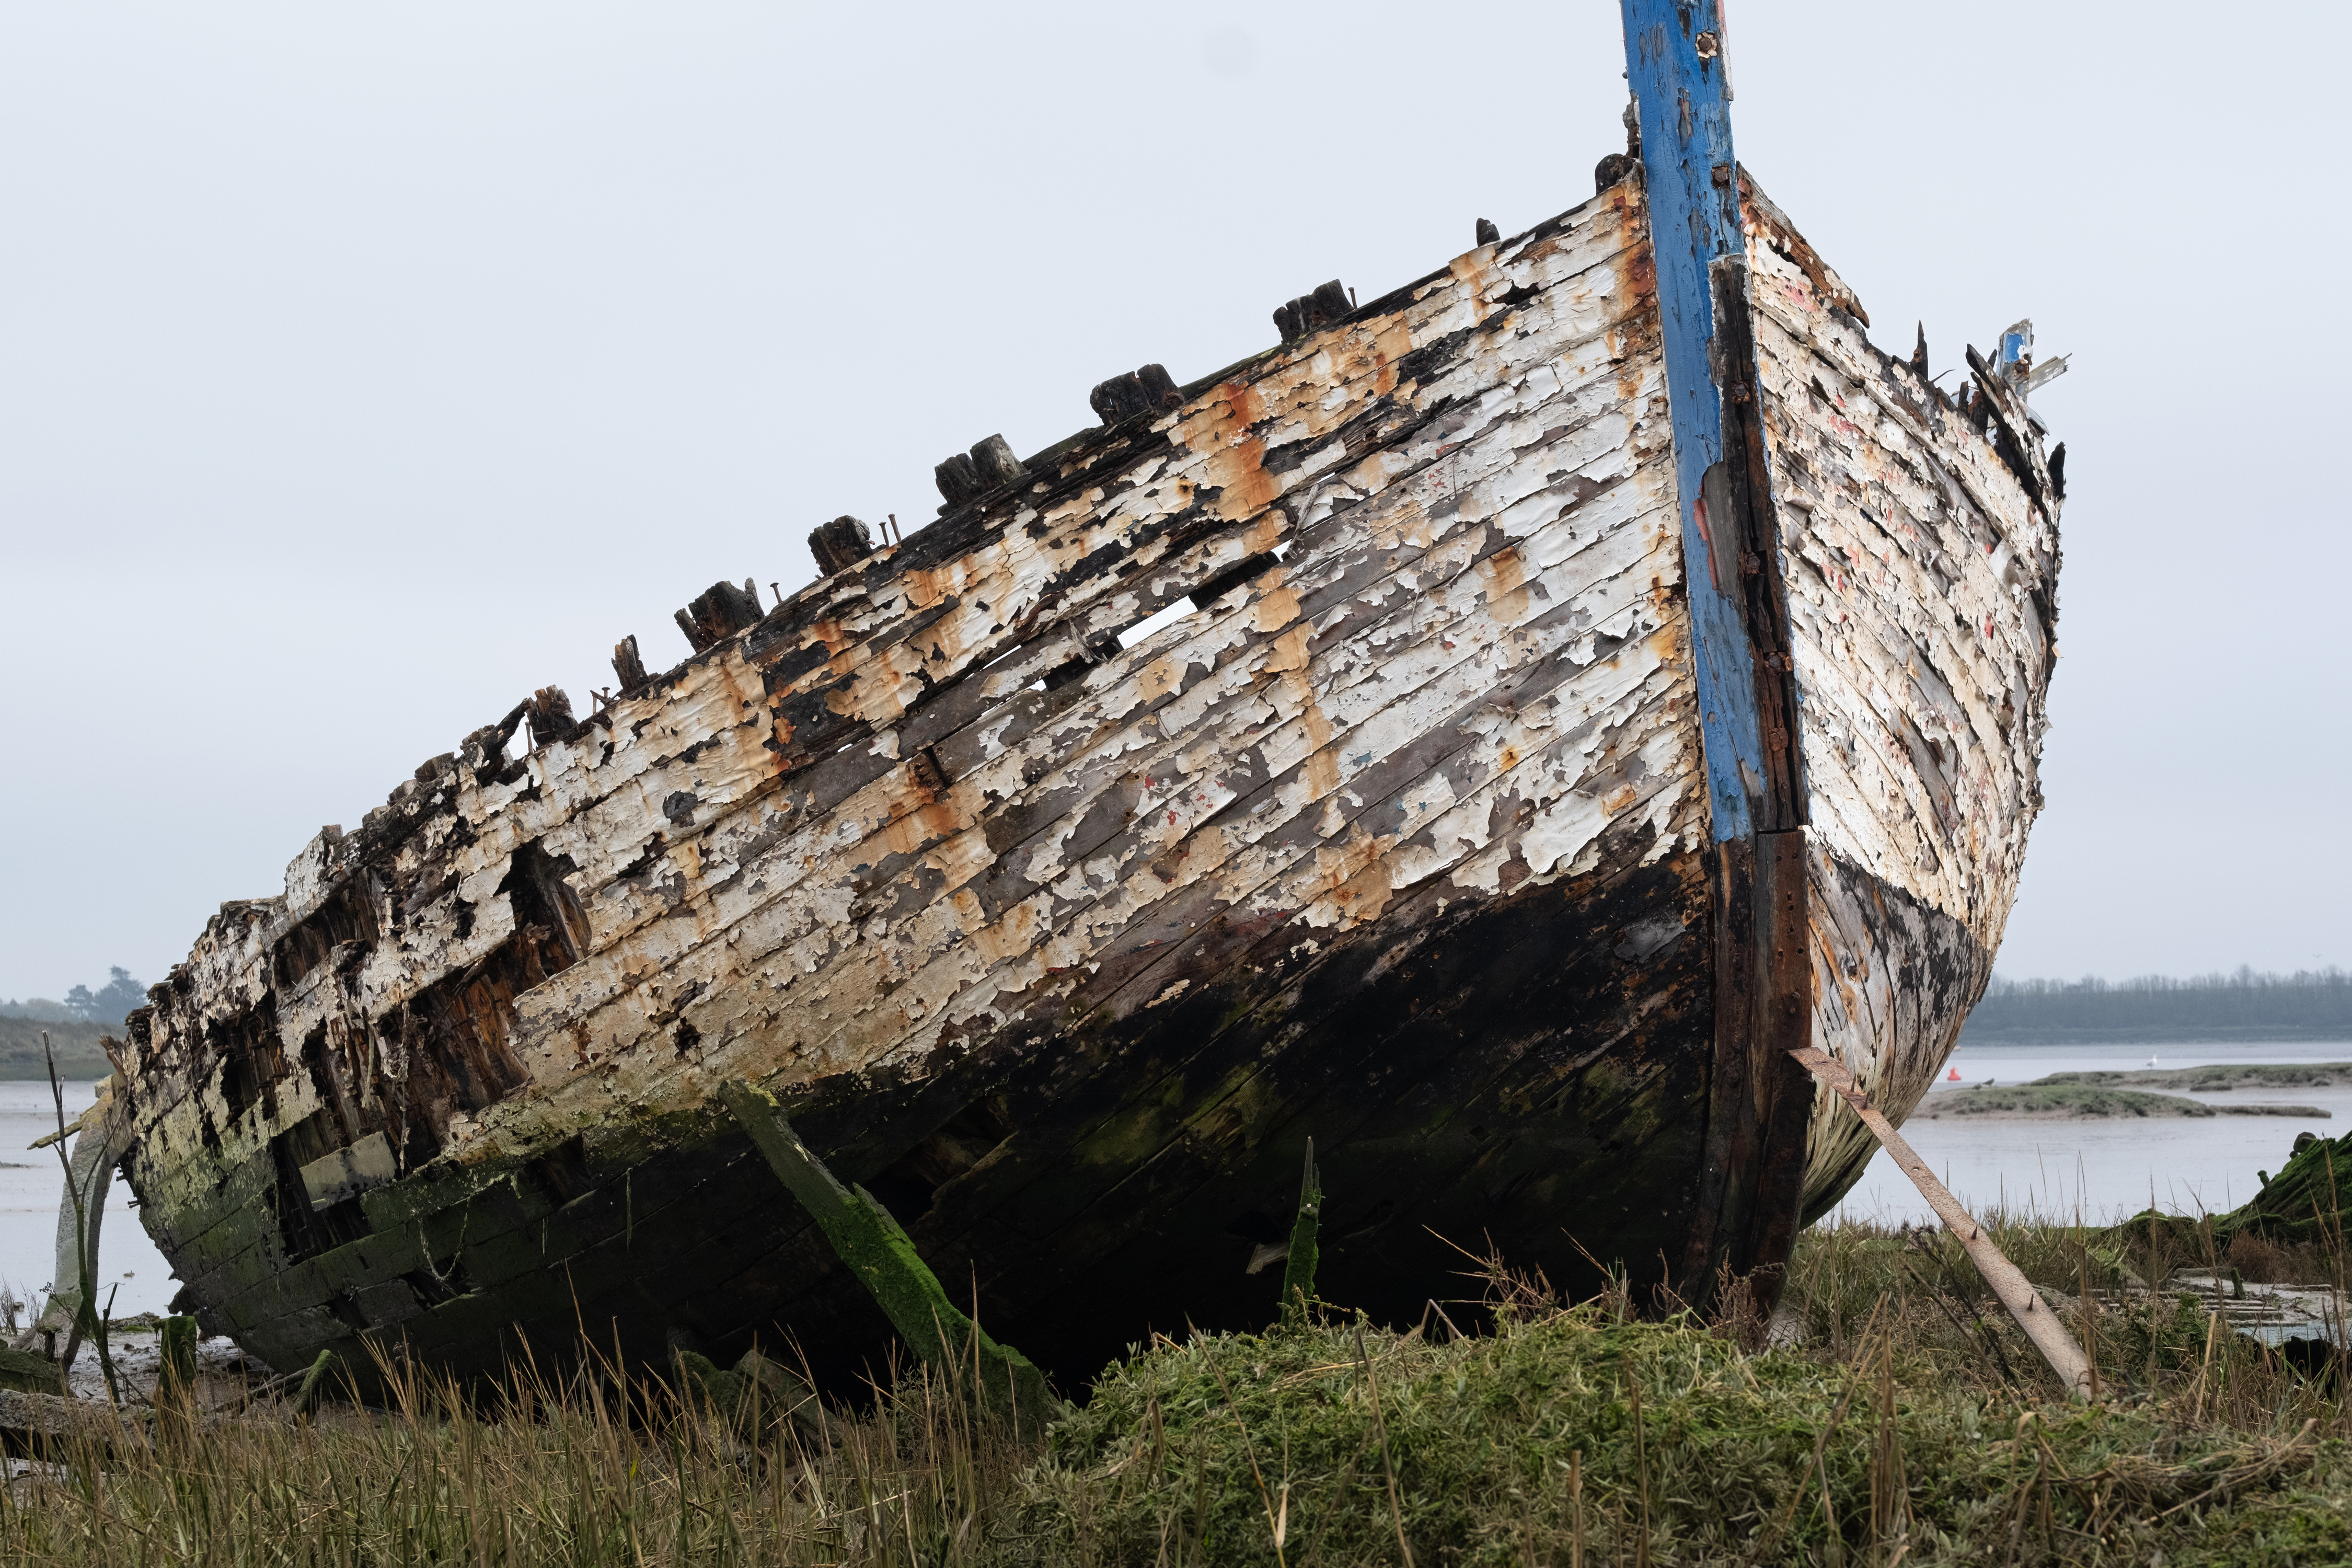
<point>1676,67</point>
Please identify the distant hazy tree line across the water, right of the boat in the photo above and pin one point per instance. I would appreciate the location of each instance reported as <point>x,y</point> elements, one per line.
<point>2245,1005</point>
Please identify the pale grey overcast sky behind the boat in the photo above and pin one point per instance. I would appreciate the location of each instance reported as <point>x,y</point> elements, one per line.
<point>363,368</point>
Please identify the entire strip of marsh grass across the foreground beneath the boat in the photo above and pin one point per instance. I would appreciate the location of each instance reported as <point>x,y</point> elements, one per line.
<point>1911,1423</point>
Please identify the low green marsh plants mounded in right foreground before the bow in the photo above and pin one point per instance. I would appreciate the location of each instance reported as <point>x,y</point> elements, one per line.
<point>1895,1438</point>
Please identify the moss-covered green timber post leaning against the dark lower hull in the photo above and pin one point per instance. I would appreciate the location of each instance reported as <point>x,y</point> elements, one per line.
<point>881,1254</point>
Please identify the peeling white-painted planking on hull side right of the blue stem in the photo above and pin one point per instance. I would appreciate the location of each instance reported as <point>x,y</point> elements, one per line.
<point>1909,610</point>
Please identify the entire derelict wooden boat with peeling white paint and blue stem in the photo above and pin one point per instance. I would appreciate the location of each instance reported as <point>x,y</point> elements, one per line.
<point>1608,671</point>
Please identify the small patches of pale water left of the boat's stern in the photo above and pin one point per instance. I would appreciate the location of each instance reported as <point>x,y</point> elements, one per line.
<point>32,1186</point>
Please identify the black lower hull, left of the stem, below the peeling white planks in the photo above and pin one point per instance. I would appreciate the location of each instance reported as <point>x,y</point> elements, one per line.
<point>1525,1073</point>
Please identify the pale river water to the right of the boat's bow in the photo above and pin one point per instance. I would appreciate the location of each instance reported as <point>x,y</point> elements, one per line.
<point>2106,1170</point>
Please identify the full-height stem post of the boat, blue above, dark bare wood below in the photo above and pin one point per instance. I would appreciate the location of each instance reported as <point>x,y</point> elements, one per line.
<point>1751,1186</point>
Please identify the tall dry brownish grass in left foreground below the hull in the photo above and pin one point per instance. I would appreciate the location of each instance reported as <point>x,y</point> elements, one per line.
<point>587,1470</point>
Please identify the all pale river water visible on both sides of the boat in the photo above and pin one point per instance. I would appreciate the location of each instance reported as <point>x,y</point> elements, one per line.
<point>2064,1170</point>
